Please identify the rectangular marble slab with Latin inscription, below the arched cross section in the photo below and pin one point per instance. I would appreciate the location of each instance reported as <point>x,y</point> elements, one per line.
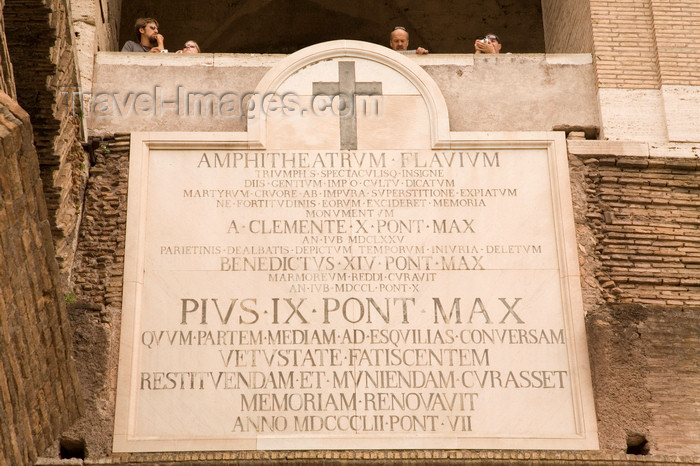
<point>315,299</point>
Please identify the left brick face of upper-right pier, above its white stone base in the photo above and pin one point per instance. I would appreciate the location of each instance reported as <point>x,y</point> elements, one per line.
<point>624,45</point>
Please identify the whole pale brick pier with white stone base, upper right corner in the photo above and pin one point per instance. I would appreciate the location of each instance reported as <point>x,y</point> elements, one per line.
<point>646,55</point>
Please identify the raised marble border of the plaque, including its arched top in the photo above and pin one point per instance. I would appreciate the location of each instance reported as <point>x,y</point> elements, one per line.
<point>142,143</point>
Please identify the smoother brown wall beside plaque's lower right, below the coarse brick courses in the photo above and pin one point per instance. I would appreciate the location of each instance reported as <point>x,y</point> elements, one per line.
<point>645,376</point>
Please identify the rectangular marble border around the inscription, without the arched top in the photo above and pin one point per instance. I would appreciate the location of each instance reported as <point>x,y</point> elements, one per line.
<point>572,304</point>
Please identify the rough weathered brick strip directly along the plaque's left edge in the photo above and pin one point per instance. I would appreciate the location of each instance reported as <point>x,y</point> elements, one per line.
<point>97,283</point>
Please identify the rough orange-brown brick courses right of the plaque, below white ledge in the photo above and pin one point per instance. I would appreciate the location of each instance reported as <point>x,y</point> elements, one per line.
<point>646,215</point>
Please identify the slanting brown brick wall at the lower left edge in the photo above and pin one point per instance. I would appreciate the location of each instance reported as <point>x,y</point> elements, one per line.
<point>38,383</point>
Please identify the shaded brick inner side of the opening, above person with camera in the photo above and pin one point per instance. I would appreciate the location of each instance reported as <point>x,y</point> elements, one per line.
<point>567,26</point>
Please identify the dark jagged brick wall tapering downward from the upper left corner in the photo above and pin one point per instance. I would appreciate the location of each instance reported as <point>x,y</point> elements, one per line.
<point>39,40</point>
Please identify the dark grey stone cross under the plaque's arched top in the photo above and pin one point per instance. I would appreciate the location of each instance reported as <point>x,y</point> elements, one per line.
<point>346,89</point>
